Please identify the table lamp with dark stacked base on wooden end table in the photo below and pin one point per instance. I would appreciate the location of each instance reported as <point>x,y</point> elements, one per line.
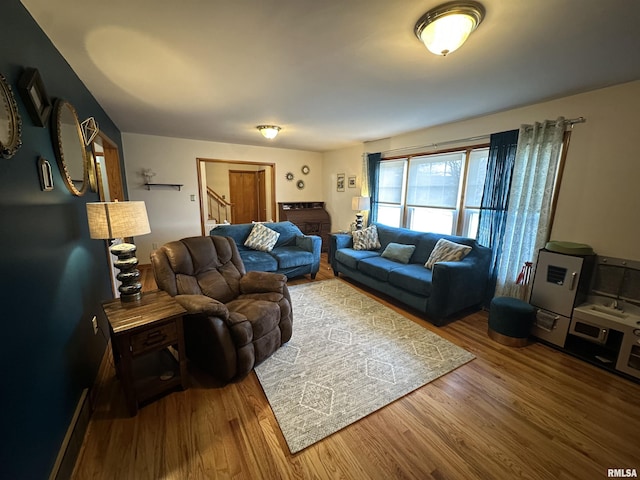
<point>113,220</point>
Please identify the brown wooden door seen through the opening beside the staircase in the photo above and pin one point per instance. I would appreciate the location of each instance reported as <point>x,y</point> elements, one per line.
<point>247,196</point>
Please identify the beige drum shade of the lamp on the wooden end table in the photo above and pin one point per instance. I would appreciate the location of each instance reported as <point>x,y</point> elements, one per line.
<point>117,219</point>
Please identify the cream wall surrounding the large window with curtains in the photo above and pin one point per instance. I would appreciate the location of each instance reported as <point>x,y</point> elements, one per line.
<point>599,198</point>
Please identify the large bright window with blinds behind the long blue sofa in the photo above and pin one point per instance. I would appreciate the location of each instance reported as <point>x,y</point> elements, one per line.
<point>438,192</point>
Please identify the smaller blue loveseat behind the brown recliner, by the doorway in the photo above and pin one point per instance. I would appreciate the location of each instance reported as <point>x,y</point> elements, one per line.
<point>294,253</point>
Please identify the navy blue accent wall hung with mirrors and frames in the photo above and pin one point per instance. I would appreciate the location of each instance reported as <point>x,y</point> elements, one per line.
<point>53,277</point>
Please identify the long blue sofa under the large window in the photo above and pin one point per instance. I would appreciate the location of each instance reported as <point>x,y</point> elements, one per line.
<point>439,293</point>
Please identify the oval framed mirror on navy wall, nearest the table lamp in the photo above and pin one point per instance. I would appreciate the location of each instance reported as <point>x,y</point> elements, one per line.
<point>68,144</point>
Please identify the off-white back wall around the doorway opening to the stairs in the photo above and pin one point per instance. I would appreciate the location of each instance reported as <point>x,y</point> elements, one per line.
<point>172,214</point>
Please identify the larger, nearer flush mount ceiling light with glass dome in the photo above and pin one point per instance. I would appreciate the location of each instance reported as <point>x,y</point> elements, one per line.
<point>445,28</point>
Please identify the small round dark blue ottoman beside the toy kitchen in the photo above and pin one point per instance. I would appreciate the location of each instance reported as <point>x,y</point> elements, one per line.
<point>510,321</point>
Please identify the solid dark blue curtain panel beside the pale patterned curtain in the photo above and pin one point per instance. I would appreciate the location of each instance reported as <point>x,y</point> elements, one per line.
<point>495,199</point>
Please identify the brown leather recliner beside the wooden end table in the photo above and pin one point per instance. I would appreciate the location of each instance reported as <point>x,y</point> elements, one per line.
<point>236,319</point>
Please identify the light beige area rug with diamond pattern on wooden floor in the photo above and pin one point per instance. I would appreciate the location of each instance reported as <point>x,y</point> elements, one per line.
<point>348,357</point>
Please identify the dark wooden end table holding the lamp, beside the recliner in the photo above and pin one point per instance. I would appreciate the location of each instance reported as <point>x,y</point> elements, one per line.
<point>144,336</point>
